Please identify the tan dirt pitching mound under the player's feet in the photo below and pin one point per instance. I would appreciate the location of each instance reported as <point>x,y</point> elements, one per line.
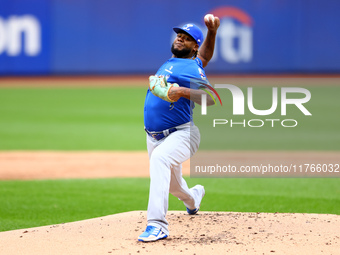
<point>205,233</point>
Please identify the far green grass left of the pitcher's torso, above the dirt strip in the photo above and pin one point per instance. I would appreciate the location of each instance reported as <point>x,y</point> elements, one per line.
<point>72,119</point>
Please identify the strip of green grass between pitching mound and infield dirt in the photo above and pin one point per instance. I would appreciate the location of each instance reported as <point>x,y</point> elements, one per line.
<point>34,203</point>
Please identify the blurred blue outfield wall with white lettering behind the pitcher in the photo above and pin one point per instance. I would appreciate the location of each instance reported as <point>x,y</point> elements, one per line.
<point>87,37</point>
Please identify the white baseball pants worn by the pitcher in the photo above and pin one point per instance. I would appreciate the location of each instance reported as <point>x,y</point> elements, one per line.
<point>166,157</point>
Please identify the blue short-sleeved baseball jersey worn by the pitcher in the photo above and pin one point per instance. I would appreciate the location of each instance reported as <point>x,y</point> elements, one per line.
<point>159,114</point>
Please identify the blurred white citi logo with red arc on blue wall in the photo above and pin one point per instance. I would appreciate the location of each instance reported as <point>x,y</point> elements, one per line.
<point>235,35</point>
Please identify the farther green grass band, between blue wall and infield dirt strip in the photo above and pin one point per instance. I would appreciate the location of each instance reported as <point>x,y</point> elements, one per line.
<point>112,119</point>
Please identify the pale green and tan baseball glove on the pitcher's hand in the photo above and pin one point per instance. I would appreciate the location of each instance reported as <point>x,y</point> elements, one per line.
<point>160,88</point>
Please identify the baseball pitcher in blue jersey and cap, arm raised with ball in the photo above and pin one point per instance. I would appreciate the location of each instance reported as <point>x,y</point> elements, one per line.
<point>172,136</point>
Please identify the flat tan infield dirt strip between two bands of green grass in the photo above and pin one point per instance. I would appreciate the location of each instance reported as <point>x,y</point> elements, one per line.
<point>26,165</point>
